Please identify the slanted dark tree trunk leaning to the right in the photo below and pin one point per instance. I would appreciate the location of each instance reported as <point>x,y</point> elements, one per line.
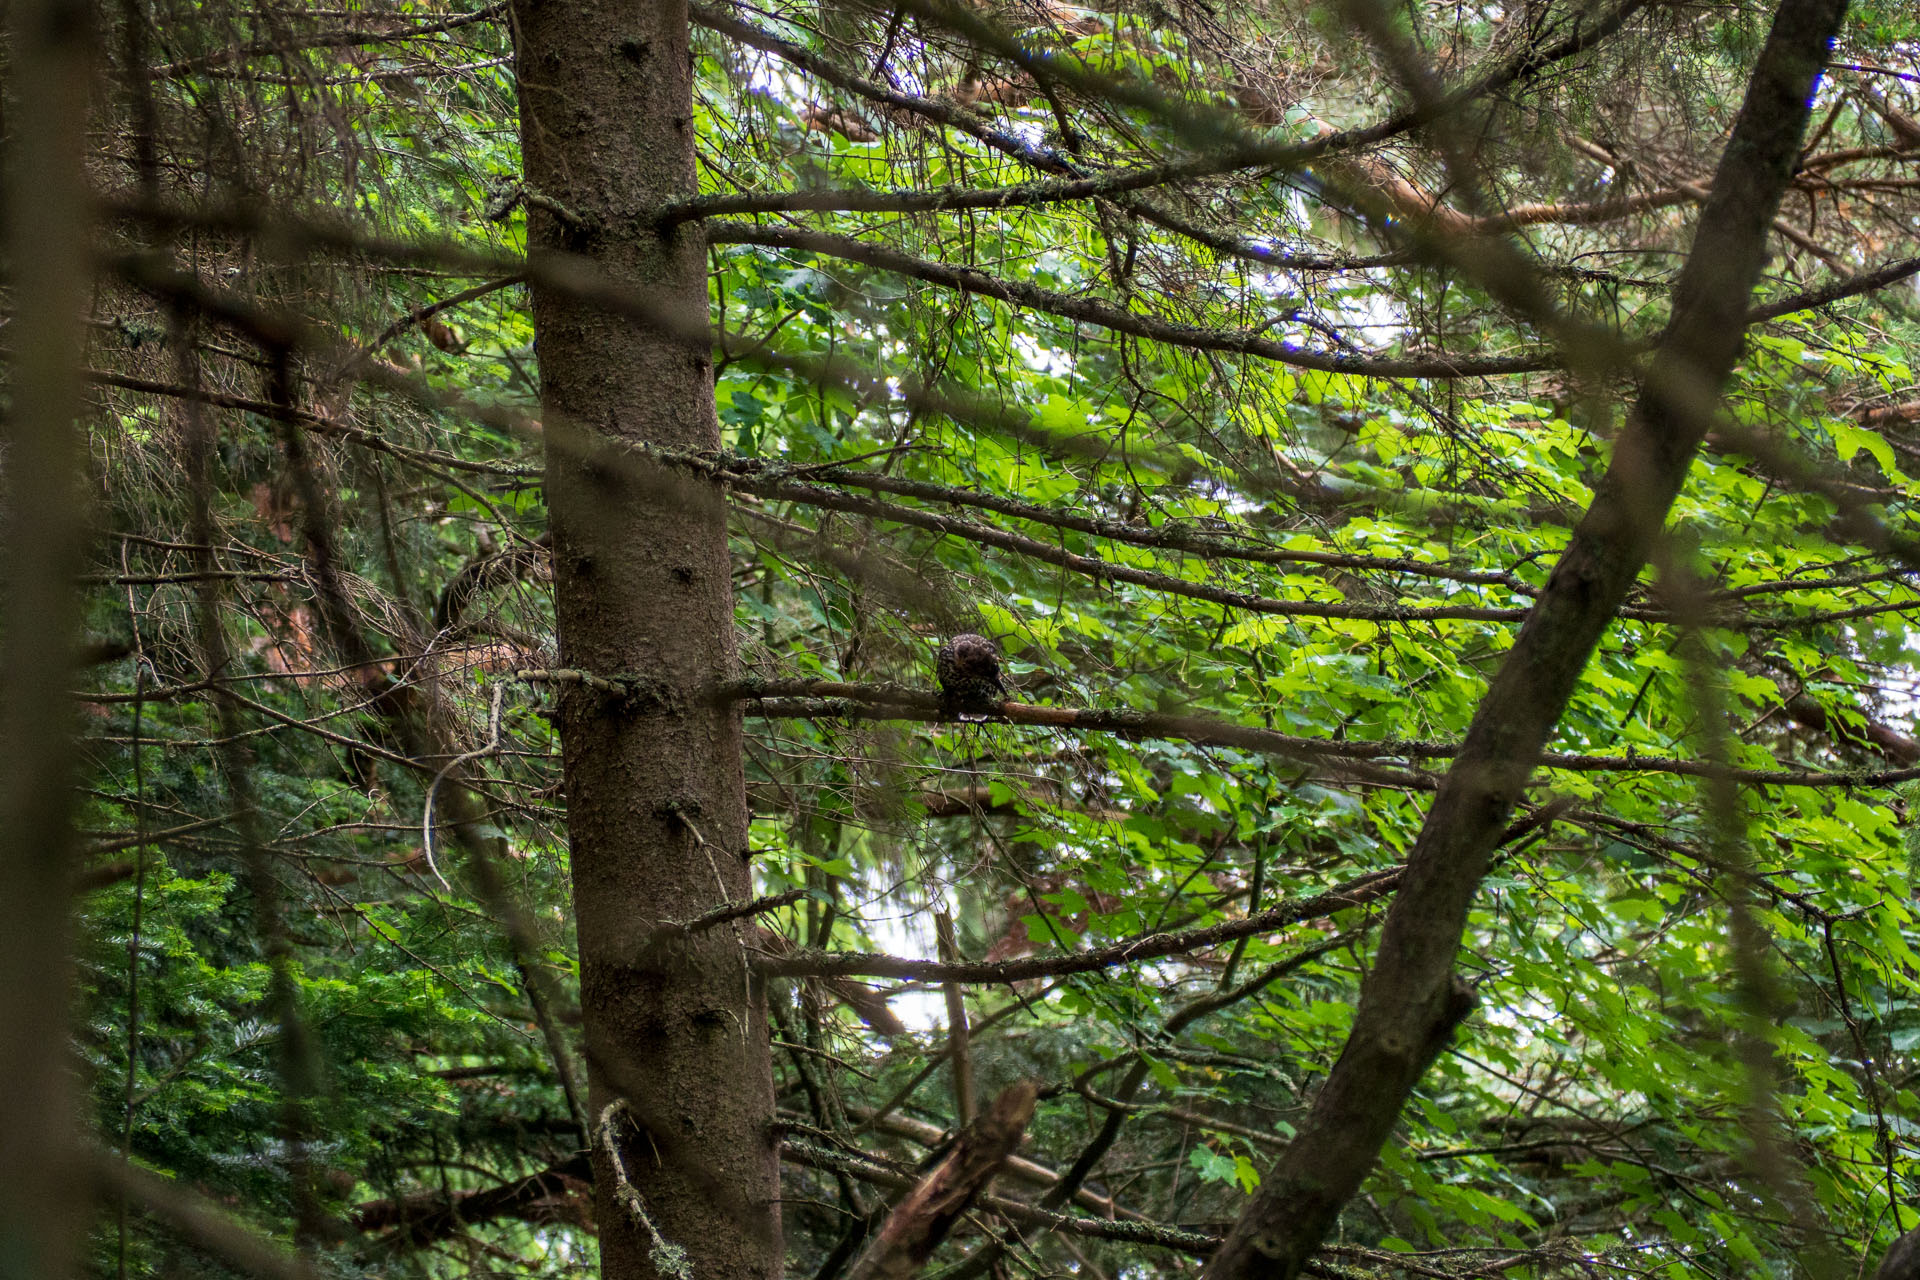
<point>1412,1001</point>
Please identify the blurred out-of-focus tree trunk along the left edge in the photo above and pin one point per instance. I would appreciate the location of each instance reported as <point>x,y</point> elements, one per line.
<point>43,1198</point>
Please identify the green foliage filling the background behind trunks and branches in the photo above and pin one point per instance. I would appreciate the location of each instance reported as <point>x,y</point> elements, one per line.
<point>1598,1112</point>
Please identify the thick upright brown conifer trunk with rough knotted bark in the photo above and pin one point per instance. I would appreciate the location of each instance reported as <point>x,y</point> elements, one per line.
<point>656,795</point>
